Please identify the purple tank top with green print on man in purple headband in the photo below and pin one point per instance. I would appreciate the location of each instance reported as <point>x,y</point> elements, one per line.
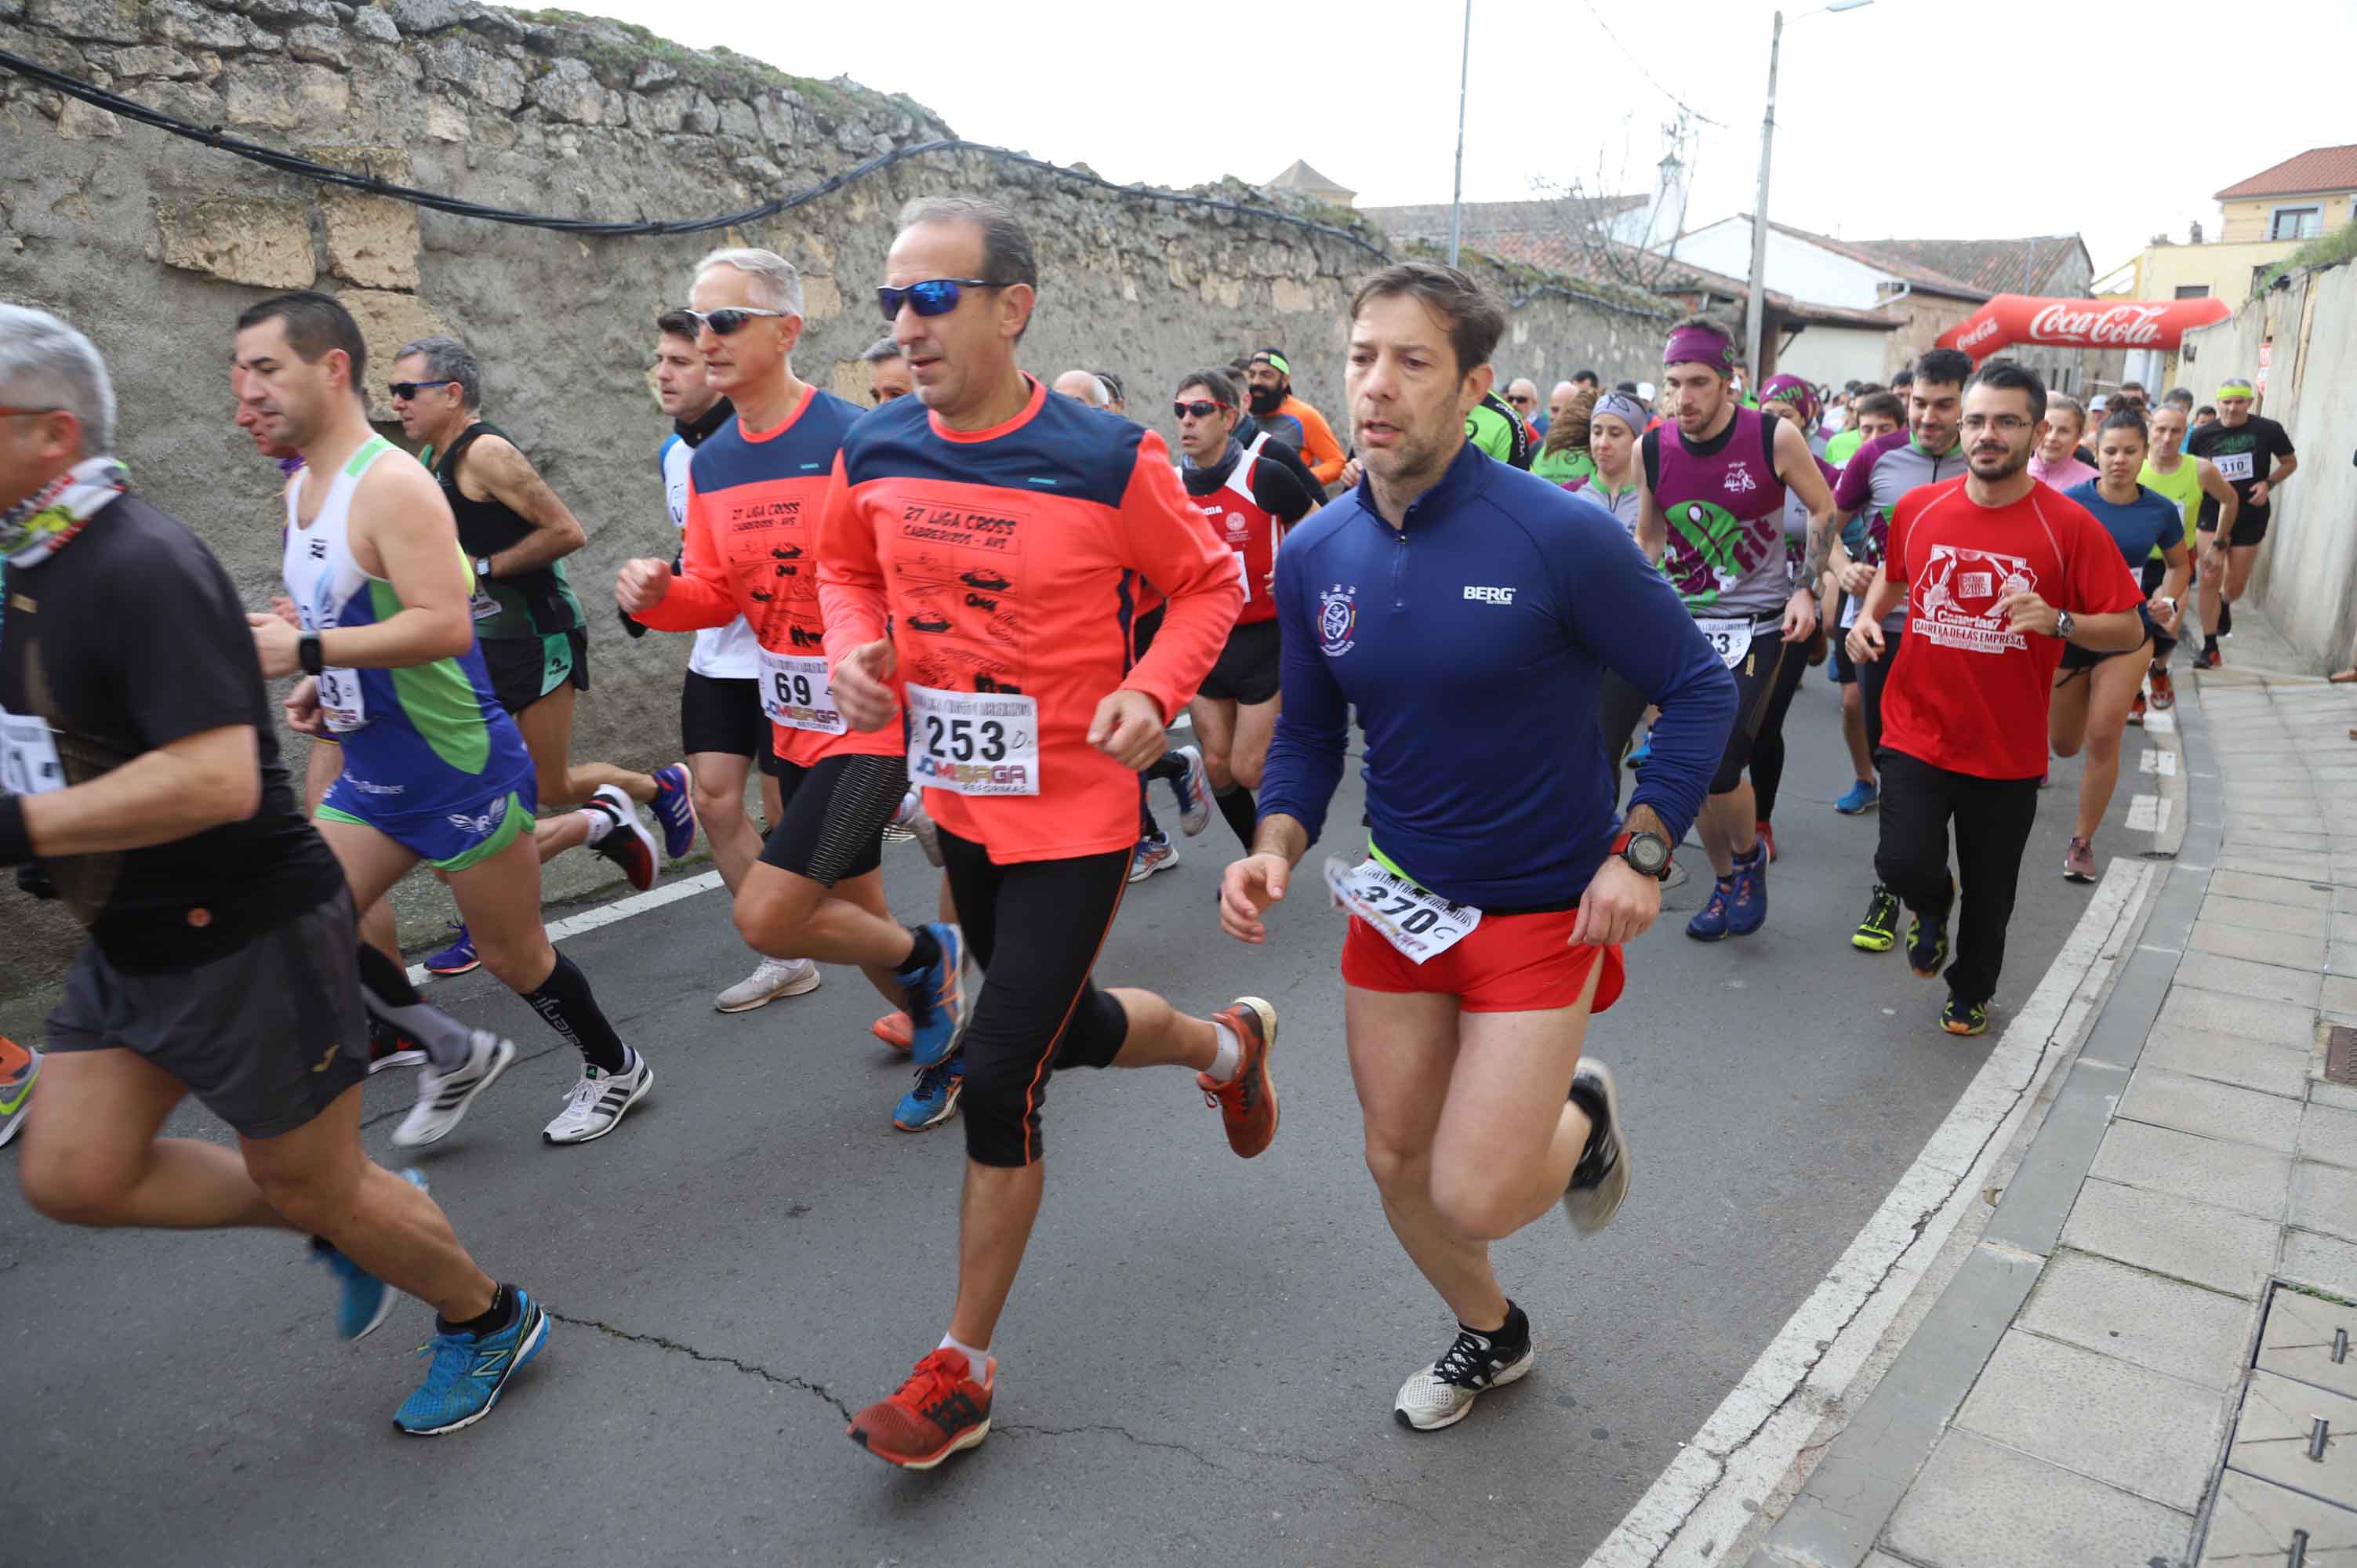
<point>1727,520</point>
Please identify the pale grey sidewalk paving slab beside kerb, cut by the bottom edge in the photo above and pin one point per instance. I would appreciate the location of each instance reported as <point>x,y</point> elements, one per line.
<point>1983,1506</point>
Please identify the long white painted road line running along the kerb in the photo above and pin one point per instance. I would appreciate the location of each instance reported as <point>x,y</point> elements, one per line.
<point>1703,1503</point>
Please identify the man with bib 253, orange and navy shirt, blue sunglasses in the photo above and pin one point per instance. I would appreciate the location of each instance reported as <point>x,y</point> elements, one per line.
<point>1026,725</point>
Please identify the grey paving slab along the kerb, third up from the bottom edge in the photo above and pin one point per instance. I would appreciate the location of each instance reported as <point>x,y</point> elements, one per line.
<point>2163,1326</point>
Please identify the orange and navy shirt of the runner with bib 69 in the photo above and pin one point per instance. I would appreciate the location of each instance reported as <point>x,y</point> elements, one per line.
<point>753,551</point>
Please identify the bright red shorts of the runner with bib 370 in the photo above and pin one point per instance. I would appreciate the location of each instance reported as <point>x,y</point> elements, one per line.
<point>1507,963</point>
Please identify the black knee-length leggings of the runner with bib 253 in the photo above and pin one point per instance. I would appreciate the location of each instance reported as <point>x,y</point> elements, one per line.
<point>1041,1010</point>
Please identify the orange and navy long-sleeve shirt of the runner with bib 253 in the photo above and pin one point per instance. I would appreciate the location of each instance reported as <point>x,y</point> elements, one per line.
<point>1010,560</point>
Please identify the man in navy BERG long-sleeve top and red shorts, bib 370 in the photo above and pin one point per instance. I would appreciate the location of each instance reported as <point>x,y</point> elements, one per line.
<point>1470,612</point>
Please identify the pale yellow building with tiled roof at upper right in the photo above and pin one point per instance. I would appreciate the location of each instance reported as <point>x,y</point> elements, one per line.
<point>2264,220</point>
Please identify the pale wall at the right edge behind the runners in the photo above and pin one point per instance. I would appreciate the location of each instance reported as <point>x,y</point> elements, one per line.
<point>2306,574</point>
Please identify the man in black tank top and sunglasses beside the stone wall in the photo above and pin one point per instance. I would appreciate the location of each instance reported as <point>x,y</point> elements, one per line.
<point>536,645</point>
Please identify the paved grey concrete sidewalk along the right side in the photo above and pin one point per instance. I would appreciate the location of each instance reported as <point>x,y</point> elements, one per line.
<point>2144,1357</point>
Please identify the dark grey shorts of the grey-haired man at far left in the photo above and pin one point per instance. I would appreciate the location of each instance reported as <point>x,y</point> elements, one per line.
<point>268,1036</point>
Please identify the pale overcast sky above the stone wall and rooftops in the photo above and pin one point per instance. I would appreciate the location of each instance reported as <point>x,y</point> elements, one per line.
<point>1908,119</point>
